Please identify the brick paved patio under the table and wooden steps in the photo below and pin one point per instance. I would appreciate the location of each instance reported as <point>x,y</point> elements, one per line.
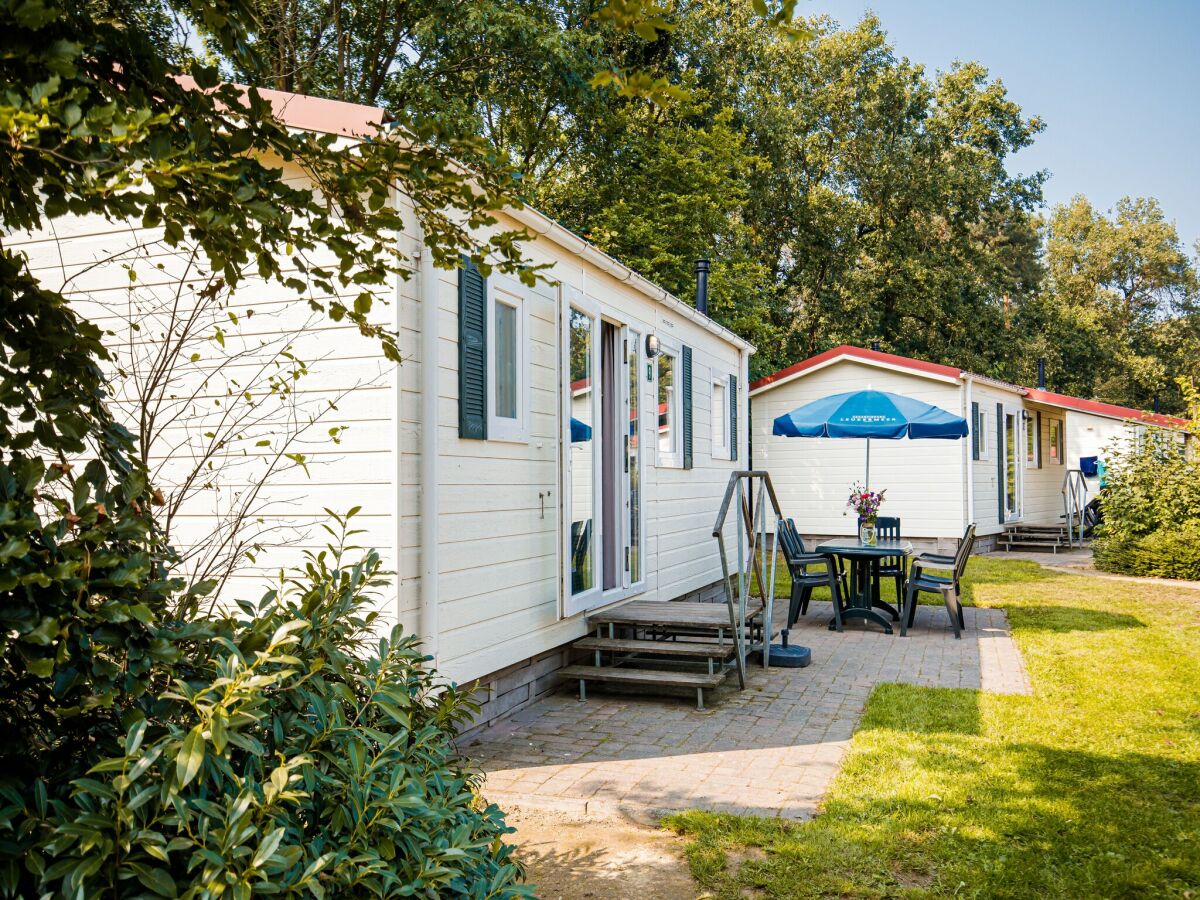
<point>770,751</point>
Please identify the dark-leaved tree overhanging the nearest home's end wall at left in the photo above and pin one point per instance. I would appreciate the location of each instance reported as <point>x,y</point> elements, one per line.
<point>100,118</point>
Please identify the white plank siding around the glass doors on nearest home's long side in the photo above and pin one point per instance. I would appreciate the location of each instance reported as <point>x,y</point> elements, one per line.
<point>500,593</point>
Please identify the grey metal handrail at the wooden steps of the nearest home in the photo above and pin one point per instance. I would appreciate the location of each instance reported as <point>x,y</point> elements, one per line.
<point>753,491</point>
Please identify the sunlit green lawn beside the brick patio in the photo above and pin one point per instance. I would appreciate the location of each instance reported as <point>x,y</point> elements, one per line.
<point>1091,788</point>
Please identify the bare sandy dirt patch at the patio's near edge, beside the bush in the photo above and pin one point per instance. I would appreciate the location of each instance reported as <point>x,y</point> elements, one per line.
<point>573,859</point>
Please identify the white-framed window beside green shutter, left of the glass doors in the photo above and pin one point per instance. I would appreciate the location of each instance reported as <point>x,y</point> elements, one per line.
<point>507,386</point>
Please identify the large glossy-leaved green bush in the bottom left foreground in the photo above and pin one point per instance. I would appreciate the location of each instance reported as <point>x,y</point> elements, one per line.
<point>285,758</point>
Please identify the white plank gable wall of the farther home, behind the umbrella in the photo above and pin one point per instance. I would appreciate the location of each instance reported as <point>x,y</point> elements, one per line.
<point>813,476</point>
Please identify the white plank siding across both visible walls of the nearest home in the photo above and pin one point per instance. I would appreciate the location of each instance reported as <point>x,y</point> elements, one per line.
<point>500,561</point>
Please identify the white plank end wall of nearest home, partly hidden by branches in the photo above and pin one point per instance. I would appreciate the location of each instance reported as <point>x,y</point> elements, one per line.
<point>87,257</point>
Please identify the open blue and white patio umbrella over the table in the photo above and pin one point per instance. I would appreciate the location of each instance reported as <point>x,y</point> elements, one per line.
<point>871,415</point>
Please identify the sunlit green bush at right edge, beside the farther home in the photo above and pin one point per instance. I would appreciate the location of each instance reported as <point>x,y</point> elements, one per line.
<point>1151,508</point>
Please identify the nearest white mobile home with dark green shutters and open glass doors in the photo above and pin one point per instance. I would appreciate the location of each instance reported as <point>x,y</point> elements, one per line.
<point>530,461</point>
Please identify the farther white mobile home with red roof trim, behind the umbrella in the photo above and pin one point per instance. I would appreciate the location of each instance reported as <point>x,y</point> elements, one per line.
<point>1010,472</point>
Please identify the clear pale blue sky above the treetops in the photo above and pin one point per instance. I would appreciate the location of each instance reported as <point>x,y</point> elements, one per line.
<point>1118,86</point>
